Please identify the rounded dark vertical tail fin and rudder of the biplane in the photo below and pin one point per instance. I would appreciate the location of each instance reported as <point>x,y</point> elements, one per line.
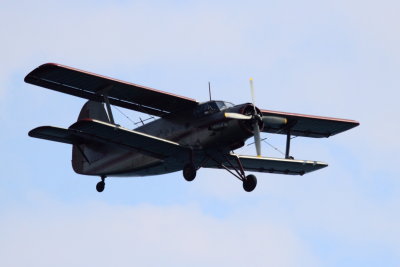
<point>85,154</point>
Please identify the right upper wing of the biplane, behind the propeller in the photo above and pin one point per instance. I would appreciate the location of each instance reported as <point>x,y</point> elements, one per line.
<point>307,125</point>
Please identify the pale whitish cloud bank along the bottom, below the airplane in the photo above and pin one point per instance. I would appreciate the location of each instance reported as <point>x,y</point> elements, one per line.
<point>145,236</point>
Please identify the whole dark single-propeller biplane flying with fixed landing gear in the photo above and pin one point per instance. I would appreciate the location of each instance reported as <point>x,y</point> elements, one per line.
<point>186,136</point>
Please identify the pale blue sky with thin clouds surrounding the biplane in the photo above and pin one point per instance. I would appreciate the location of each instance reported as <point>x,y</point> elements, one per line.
<point>329,58</point>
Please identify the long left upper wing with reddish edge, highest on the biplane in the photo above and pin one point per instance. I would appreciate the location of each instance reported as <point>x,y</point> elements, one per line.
<point>91,86</point>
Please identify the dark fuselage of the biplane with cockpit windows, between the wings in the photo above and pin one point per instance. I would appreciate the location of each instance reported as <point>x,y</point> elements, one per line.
<point>203,130</point>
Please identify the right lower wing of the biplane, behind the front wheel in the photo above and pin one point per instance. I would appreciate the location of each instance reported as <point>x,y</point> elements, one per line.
<point>270,165</point>
